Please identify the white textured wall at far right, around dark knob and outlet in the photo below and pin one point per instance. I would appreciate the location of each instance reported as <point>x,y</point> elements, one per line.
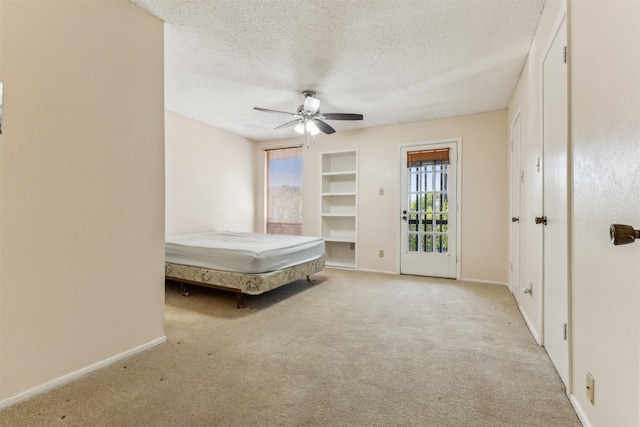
<point>605,98</point>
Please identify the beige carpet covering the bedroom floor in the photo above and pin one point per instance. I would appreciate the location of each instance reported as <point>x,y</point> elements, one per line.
<point>349,349</point>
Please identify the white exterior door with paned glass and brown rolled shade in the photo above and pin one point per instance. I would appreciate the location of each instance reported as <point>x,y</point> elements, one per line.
<point>429,210</point>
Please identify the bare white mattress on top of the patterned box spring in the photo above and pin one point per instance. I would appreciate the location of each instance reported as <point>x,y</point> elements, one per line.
<point>242,252</point>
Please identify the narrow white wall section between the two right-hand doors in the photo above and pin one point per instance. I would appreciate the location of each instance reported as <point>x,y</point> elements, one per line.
<point>527,100</point>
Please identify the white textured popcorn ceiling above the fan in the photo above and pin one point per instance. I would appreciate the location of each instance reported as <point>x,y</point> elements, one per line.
<point>392,61</point>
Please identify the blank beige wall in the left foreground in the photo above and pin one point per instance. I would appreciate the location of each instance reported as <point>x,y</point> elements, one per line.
<point>82,201</point>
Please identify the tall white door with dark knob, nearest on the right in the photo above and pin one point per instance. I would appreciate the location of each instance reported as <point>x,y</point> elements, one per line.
<point>556,205</point>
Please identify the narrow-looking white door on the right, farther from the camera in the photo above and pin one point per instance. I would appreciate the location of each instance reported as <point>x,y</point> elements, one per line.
<point>514,264</point>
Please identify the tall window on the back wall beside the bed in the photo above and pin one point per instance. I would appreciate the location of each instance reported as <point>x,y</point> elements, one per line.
<point>284,191</point>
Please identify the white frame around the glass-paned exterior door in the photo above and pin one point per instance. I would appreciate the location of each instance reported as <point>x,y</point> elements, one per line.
<point>458,143</point>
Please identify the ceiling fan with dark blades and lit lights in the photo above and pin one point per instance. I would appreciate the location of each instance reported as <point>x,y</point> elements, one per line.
<point>309,119</point>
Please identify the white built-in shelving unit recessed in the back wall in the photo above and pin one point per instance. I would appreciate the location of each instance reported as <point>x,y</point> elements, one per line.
<point>340,207</point>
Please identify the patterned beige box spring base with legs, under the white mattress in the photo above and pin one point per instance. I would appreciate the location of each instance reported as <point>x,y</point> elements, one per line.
<point>240,283</point>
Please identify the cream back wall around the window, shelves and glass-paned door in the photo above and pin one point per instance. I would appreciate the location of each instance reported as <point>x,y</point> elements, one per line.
<point>484,189</point>
